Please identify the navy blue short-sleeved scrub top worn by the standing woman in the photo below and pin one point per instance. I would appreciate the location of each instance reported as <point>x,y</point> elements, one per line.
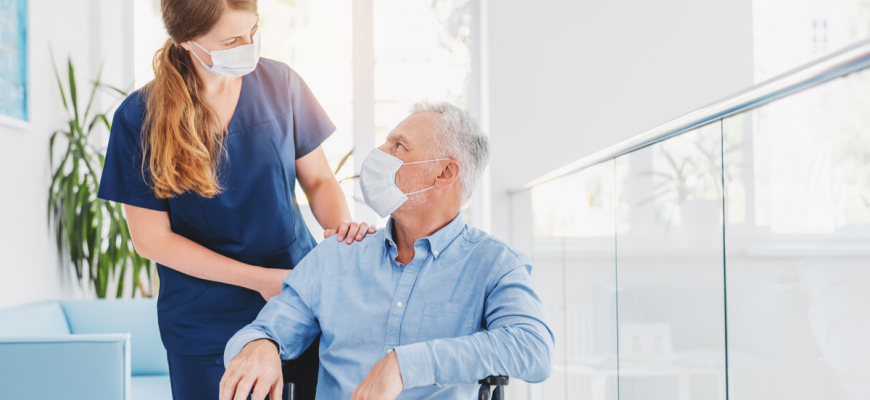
<point>255,219</point>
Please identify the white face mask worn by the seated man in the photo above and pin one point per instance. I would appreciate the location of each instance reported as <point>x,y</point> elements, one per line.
<point>378,182</point>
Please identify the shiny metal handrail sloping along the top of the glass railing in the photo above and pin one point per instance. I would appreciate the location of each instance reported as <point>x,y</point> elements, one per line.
<point>838,64</point>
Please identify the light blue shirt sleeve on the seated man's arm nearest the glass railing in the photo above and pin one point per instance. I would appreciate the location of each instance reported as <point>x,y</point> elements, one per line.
<point>517,342</point>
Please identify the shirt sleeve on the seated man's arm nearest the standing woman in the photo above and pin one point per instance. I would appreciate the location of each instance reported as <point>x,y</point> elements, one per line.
<point>288,319</point>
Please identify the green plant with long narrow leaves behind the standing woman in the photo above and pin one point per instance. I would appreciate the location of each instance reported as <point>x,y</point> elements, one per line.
<point>91,234</point>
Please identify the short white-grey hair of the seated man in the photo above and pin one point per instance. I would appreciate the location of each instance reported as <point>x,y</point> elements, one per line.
<point>458,136</point>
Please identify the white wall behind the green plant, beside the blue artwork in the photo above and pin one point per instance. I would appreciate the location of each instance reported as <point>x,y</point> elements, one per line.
<point>29,270</point>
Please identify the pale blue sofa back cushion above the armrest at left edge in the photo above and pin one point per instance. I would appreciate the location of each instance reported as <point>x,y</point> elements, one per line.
<point>39,319</point>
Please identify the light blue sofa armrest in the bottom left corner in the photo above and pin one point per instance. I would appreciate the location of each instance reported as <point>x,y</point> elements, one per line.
<point>93,367</point>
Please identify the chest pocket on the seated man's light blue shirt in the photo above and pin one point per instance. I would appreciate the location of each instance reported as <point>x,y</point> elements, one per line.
<point>445,320</point>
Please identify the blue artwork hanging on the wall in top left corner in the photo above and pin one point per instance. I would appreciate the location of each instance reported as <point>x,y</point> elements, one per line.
<point>13,59</point>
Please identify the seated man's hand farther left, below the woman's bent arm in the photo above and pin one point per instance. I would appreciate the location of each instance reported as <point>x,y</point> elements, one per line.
<point>257,367</point>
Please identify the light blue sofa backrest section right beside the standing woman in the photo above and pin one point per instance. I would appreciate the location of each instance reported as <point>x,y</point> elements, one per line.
<point>136,316</point>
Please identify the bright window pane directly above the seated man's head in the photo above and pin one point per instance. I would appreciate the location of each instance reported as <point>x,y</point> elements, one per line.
<point>421,53</point>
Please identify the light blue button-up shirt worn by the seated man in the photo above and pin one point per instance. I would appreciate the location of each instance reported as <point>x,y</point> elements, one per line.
<point>461,310</point>
